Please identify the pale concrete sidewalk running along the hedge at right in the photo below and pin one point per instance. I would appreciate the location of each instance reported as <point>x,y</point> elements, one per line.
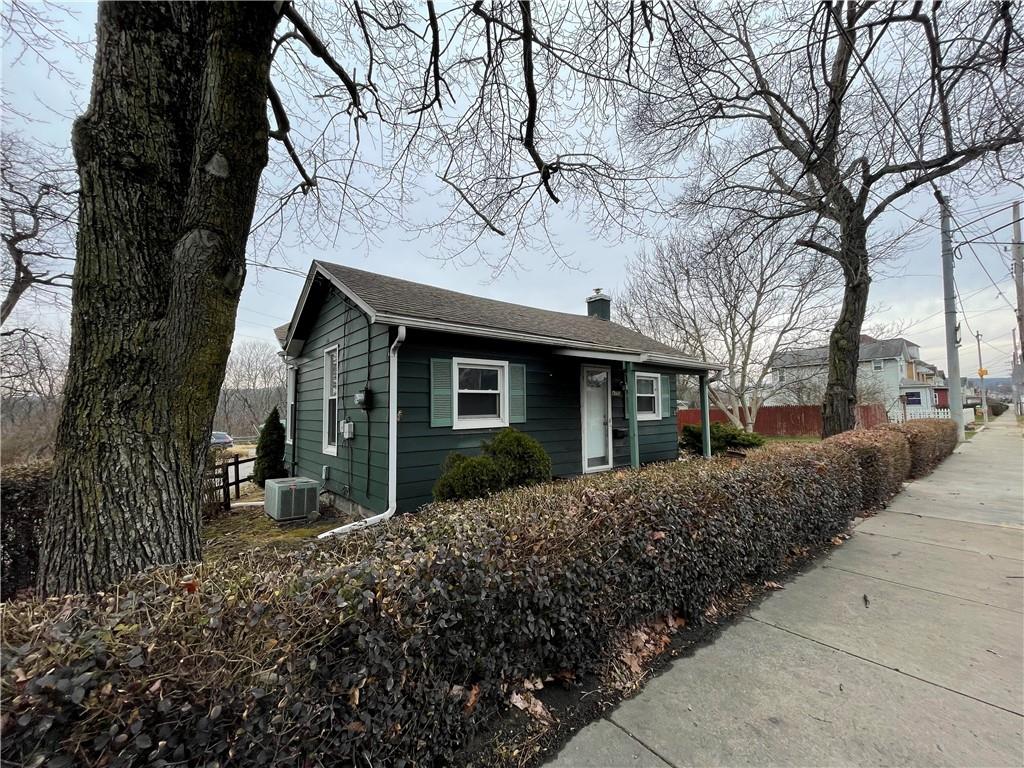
<point>905,647</point>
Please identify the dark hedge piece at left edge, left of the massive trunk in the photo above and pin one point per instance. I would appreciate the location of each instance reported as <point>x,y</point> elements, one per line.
<point>25,493</point>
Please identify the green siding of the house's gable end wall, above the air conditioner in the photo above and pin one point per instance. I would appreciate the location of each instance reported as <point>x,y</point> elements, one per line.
<point>362,464</point>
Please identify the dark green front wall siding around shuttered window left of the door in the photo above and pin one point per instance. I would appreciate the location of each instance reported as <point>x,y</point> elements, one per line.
<point>552,409</point>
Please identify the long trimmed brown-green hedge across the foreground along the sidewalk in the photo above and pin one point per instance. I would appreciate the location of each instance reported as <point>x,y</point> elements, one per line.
<point>398,646</point>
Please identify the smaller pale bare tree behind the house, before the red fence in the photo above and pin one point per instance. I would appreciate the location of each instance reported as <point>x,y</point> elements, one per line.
<point>736,295</point>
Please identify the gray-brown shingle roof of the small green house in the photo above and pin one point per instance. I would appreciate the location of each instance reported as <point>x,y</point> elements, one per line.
<point>393,300</point>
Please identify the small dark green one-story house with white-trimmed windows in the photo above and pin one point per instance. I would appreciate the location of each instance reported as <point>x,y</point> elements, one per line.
<point>387,377</point>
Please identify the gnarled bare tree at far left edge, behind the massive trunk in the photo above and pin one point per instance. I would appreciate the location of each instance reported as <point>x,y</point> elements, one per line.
<point>38,202</point>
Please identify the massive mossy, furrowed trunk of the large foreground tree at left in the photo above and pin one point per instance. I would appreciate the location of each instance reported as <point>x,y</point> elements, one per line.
<point>169,156</point>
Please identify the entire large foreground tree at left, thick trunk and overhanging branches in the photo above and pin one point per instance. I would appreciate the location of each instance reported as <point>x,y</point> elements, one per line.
<point>170,156</point>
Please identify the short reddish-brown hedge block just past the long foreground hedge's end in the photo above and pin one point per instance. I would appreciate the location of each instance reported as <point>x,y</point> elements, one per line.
<point>885,463</point>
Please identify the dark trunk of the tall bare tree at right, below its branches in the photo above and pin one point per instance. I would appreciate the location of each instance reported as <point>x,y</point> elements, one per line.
<point>839,409</point>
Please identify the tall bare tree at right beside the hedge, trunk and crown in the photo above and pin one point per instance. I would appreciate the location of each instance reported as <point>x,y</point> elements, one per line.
<point>833,115</point>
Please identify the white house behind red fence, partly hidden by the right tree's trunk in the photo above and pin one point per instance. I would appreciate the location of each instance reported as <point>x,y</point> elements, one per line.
<point>891,372</point>
